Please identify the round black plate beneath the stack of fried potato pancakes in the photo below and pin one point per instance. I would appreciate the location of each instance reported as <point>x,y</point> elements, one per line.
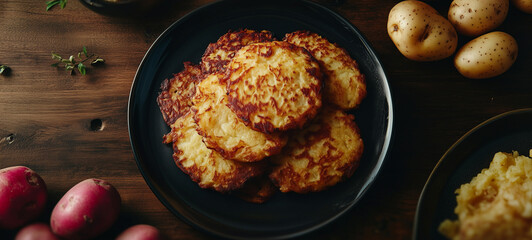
<point>285,215</point>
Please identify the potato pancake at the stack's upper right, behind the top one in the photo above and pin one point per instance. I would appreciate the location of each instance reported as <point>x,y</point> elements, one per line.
<point>345,85</point>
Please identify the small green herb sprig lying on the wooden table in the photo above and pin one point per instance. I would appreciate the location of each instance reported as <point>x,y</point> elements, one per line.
<point>71,63</point>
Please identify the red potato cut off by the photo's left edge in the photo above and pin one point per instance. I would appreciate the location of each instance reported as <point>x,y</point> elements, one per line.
<point>22,196</point>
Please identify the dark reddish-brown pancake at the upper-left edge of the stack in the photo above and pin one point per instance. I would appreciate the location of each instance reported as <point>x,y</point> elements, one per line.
<point>174,100</point>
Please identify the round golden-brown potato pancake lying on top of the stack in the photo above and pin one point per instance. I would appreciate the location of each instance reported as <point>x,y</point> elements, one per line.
<point>274,86</point>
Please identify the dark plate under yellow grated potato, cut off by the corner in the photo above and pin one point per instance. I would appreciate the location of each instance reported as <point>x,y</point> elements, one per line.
<point>511,131</point>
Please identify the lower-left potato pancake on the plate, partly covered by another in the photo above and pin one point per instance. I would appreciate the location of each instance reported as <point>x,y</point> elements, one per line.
<point>204,166</point>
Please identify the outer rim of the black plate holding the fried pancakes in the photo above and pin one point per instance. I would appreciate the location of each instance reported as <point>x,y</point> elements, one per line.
<point>374,173</point>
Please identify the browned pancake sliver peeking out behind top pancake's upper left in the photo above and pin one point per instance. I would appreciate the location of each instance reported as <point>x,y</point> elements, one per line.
<point>218,54</point>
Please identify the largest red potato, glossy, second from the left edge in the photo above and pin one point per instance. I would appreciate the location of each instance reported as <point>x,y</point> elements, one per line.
<point>87,210</point>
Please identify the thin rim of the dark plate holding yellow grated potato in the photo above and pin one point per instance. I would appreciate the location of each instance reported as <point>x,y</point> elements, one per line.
<point>440,164</point>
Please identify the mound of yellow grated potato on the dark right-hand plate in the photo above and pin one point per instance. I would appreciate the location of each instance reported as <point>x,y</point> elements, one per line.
<point>497,203</point>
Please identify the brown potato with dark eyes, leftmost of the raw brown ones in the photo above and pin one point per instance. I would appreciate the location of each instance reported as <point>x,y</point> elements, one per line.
<point>420,32</point>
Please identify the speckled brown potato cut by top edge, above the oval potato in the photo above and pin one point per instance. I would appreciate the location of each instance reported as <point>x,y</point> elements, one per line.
<point>476,17</point>
